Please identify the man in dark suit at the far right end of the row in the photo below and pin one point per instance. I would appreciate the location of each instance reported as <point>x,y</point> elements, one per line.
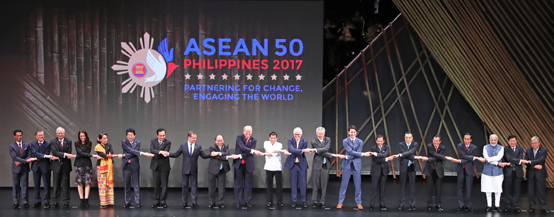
<point>535,157</point>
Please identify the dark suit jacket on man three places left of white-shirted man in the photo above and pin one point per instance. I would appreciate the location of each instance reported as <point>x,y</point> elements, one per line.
<point>190,163</point>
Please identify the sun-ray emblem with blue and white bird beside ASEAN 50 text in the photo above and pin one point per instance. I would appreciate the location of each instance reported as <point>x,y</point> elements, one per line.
<point>146,67</point>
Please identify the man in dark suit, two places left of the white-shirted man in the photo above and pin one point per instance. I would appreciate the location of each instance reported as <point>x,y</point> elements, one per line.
<point>218,167</point>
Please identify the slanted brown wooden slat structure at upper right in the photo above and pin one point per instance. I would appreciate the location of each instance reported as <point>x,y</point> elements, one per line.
<point>499,54</point>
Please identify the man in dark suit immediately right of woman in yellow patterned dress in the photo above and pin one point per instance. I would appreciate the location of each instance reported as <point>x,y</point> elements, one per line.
<point>131,166</point>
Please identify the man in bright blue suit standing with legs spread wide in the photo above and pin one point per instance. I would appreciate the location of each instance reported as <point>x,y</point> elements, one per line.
<point>352,165</point>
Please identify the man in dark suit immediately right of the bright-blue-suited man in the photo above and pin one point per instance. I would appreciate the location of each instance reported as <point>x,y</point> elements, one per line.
<point>379,171</point>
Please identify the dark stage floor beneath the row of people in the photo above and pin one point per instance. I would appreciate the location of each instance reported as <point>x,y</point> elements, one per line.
<point>259,209</point>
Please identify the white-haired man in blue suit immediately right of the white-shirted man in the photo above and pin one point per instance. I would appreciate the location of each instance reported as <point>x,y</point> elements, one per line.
<point>298,166</point>
